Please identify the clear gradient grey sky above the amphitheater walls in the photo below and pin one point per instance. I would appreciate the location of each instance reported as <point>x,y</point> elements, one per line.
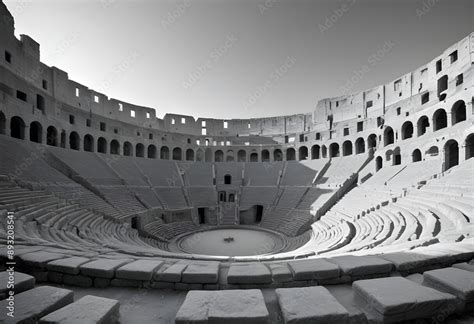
<point>238,59</point>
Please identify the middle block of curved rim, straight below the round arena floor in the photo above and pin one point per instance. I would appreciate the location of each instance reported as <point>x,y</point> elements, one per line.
<point>249,273</point>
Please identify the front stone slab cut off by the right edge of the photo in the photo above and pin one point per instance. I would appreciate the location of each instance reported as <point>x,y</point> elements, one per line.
<point>451,280</point>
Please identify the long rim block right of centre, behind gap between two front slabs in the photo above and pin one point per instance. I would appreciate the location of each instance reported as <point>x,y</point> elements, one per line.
<point>362,265</point>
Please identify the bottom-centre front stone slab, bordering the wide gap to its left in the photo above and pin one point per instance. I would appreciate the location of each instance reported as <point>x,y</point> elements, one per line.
<point>226,306</point>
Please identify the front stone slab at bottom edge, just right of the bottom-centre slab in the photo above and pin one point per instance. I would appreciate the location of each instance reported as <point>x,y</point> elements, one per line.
<point>310,305</point>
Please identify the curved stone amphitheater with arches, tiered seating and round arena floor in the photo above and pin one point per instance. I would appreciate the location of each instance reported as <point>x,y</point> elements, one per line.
<point>358,212</point>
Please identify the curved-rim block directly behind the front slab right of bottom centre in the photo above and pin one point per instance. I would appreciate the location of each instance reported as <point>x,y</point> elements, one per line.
<point>313,269</point>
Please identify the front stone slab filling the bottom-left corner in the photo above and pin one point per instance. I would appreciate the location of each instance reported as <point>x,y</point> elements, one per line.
<point>33,304</point>
